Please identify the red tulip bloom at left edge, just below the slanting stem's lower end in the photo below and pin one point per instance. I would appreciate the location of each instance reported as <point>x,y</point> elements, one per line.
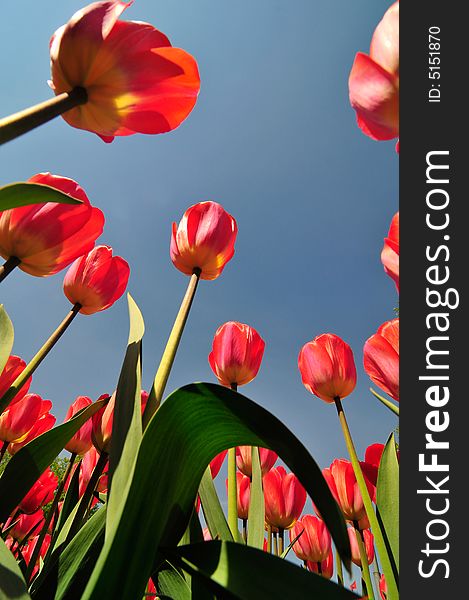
<point>19,418</point>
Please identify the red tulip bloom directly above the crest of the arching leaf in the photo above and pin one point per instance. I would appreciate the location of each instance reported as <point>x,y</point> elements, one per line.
<point>236,354</point>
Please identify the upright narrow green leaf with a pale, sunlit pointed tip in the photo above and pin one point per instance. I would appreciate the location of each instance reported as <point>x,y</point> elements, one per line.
<point>127,423</point>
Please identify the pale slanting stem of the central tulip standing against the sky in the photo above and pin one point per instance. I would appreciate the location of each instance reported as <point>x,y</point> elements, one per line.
<point>169,354</point>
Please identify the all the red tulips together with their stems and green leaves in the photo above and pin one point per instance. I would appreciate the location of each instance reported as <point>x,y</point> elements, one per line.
<point>69,536</point>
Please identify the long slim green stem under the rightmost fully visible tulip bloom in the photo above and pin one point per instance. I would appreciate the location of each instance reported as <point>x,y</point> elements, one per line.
<point>393,593</point>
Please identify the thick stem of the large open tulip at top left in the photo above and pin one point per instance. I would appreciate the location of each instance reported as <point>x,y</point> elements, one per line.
<point>21,122</point>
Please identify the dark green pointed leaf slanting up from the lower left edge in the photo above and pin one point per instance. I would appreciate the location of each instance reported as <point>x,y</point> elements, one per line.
<point>28,464</point>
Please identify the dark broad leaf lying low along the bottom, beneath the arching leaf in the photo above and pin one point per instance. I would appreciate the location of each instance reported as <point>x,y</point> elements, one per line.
<point>236,571</point>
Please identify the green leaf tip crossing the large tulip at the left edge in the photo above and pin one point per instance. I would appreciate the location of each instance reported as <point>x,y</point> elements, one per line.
<point>25,193</point>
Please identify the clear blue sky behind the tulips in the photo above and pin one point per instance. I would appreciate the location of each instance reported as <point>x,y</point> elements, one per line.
<point>274,140</point>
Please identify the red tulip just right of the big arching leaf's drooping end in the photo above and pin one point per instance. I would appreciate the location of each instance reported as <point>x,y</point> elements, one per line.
<point>344,487</point>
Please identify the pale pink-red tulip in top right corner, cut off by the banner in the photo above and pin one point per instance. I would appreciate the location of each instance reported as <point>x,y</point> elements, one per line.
<point>374,81</point>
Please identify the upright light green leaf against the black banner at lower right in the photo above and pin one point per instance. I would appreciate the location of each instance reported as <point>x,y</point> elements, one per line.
<point>387,499</point>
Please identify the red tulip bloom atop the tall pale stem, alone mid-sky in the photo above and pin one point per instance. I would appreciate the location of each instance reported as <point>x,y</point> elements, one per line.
<point>204,240</point>
